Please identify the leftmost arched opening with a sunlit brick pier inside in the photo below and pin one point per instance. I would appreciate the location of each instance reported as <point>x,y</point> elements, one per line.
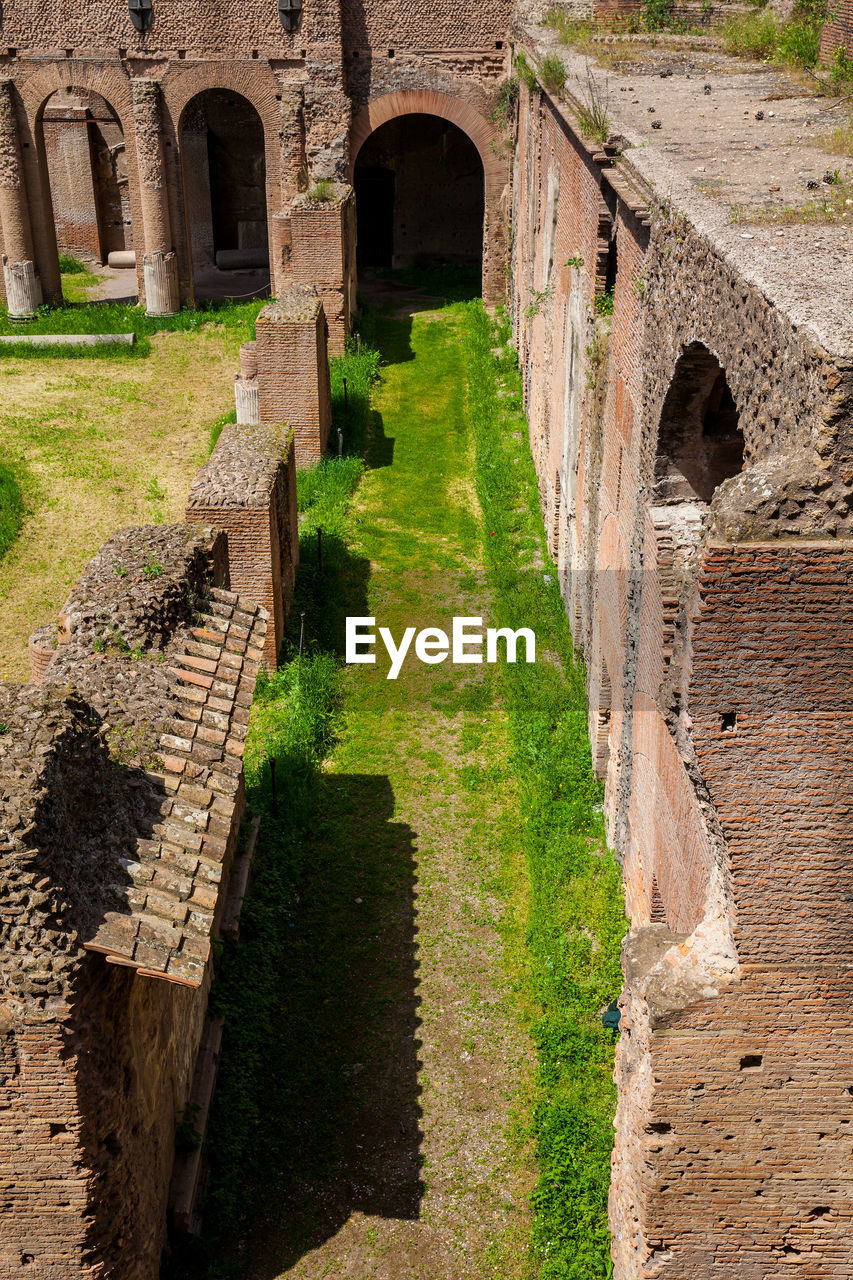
<point>88,173</point>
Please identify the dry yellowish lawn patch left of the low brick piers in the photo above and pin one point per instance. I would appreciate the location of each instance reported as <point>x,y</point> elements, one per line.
<point>99,445</point>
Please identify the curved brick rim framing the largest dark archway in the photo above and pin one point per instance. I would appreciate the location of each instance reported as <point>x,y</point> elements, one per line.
<point>487,141</point>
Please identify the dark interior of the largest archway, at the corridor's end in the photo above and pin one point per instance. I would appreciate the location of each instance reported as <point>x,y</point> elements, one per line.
<point>419,186</point>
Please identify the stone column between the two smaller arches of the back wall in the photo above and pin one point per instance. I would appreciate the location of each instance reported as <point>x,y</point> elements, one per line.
<point>159,260</point>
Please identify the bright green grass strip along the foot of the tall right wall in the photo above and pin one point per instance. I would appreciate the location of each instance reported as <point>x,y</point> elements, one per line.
<point>577,918</point>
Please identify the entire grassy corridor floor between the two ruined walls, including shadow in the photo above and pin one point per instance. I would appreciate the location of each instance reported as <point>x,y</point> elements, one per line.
<point>477,778</point>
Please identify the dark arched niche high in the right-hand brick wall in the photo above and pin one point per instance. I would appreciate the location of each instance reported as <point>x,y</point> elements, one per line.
<point>700,444</point>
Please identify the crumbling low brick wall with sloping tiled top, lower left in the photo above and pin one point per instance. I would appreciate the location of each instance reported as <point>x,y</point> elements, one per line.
<point>121,804</point>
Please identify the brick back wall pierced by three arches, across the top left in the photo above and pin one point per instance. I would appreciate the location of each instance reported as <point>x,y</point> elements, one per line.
<point>307,86</point>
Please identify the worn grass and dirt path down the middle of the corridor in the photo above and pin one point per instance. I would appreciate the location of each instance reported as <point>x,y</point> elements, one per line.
<point>413,1055</point>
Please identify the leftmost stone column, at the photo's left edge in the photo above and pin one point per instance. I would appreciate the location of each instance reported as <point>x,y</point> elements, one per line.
<point>24,287</point>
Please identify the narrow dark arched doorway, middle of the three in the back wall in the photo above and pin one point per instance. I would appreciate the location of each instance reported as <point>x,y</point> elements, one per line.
<point>225,181</point>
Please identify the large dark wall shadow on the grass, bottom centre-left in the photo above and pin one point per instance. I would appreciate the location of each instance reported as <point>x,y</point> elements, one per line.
<point>341,1131</point>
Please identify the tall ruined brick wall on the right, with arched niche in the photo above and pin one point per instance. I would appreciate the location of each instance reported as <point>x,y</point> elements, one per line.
<point>718,641</point>
